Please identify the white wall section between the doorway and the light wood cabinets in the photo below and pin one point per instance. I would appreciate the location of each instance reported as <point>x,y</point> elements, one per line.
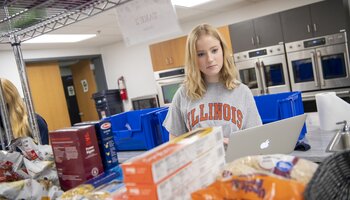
<point>134,63</point>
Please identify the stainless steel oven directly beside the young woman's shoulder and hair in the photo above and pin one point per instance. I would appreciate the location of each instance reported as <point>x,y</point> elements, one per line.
<point>264,70</point>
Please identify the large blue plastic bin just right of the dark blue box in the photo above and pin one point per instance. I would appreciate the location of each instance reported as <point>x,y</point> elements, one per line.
<point>136,130</point>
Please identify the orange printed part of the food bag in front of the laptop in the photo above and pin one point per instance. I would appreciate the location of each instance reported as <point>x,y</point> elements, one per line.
<point>252,187</point>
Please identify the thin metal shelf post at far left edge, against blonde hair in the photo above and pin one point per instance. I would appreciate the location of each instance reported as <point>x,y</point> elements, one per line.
<point>5,121</point>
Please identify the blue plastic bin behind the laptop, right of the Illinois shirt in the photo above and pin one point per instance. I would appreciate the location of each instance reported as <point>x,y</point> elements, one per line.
<point>274,107</point>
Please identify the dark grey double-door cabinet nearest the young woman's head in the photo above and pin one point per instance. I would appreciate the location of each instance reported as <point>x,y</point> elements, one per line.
<point>257,33</point>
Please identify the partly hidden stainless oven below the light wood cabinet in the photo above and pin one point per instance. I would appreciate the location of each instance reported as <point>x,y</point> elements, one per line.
<point>168,81</point>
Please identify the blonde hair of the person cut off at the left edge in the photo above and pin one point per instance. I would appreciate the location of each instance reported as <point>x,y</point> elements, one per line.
<point>16,109</point>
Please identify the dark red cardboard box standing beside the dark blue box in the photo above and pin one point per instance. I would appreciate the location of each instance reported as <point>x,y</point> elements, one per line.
<point>77,155</point>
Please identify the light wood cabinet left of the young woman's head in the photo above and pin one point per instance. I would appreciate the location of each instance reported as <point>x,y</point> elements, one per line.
<point>168,54</point>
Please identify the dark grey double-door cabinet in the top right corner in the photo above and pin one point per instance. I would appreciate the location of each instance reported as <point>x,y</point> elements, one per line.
<point>318,19</point>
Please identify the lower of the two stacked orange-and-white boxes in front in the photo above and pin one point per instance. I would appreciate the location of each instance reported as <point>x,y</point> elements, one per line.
<point>178,184</point>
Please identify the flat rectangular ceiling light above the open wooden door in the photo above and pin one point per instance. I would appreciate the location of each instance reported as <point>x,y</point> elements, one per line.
<point>60,38</point>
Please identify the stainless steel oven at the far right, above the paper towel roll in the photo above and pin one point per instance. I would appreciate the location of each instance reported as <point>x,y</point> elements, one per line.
<point>319,63</point>
